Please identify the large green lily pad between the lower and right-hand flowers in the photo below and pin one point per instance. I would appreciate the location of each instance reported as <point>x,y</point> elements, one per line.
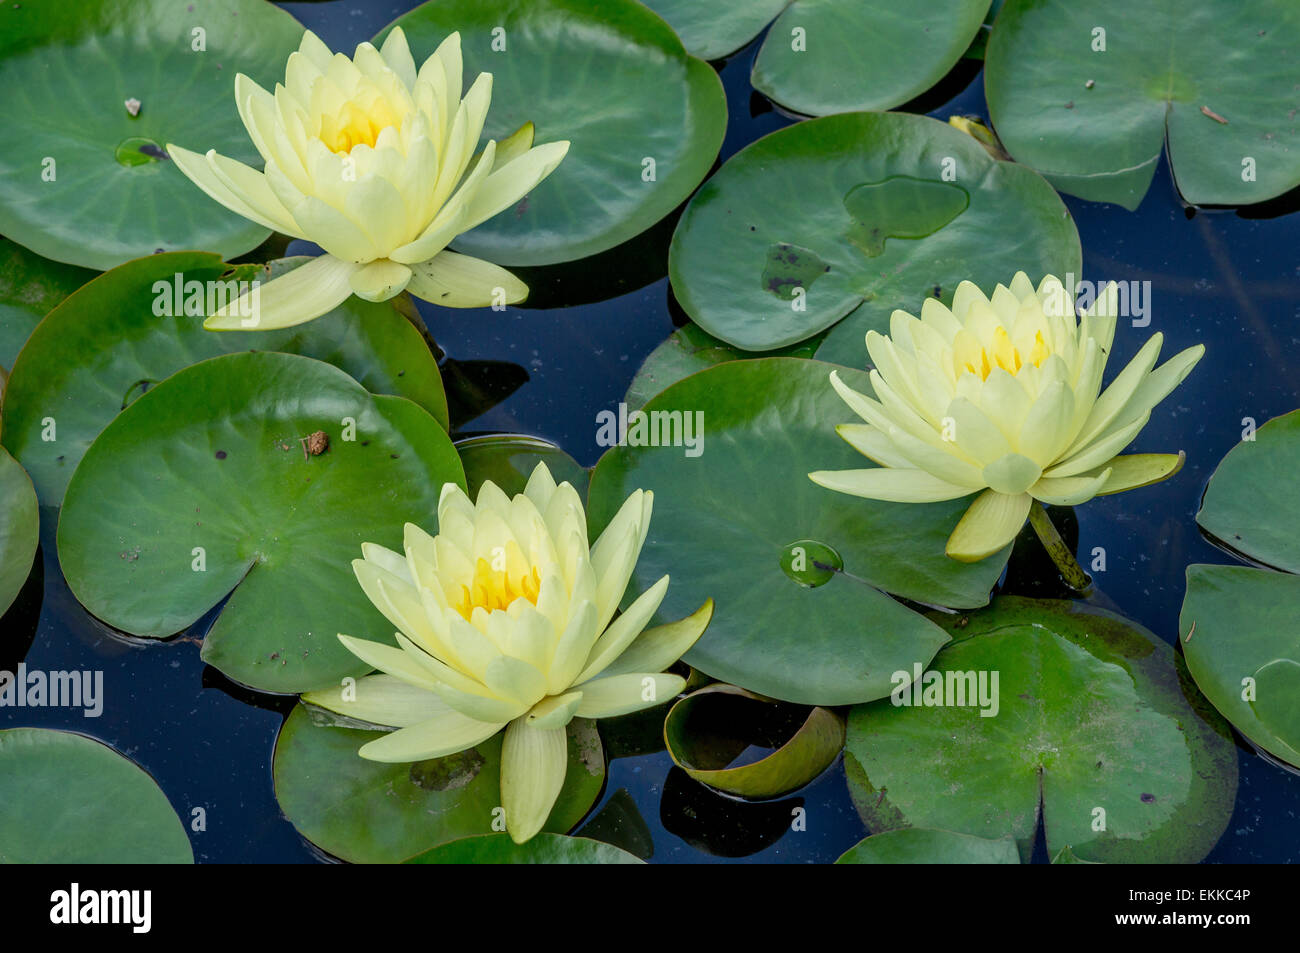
<point>729,523</point>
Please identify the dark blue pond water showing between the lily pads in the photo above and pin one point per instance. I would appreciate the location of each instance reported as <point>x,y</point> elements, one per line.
<point>1228,279</point>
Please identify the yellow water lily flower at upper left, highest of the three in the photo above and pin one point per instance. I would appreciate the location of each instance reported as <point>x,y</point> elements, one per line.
<point>375,162</point>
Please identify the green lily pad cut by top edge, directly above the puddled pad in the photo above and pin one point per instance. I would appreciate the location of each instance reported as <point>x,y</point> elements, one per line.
<point>834,57</point>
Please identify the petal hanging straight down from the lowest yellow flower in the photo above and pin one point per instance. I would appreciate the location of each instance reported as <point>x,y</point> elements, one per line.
<point>534,763</point>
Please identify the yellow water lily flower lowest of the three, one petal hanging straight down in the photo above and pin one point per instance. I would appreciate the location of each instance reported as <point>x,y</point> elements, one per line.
<point>508,621</point>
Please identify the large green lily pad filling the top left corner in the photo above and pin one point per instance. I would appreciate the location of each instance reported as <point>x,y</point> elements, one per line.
<point>88,183</point>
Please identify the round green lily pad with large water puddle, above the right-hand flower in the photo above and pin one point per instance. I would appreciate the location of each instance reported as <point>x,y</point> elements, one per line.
<point>851,218</point>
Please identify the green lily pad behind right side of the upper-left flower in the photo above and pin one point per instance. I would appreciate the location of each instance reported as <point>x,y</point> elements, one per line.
<point>644,118</point>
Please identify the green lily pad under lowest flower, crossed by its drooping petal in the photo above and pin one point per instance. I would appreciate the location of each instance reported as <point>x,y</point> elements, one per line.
<point>367,812</point>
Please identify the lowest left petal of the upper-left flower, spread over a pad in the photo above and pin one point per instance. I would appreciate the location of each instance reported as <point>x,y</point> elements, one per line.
<point>296,298</point>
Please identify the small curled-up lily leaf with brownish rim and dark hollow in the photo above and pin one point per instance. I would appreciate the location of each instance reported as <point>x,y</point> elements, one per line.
<point>709,729</point>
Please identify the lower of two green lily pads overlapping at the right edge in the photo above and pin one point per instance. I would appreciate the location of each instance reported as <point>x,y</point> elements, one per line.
<point>1245,651</point>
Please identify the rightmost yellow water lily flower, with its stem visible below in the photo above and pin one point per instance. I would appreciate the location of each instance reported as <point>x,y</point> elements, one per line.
<point>1003,397</point>
